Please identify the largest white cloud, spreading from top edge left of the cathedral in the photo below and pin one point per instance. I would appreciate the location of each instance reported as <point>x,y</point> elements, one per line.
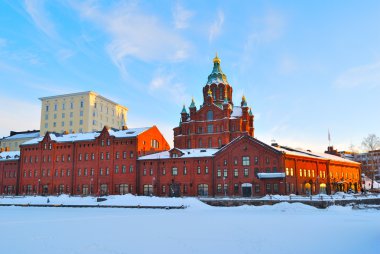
<point>134,34</point>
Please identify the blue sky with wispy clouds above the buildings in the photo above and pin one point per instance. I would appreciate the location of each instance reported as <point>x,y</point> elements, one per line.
<point>306,67</point>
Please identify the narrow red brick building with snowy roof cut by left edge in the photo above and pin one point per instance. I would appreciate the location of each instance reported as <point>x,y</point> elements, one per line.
<point>9,165</point>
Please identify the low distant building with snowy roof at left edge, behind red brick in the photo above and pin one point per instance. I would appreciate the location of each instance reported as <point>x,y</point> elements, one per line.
<point>15,139</point>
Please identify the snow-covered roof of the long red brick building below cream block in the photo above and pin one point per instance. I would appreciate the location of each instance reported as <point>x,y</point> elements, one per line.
<point>75,137</point>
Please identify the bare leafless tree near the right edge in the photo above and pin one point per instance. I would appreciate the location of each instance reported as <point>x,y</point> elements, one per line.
<point>370,144</point>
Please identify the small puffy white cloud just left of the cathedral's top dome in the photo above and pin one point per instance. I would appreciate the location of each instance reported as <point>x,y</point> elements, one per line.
<point>164,85</point>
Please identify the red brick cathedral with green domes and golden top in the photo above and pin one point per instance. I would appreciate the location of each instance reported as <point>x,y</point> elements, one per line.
<point>217,122</point>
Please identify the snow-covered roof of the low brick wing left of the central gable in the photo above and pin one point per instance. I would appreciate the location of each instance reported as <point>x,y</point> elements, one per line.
<point>187,153</point>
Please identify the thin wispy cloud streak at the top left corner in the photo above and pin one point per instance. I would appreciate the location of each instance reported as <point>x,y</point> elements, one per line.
<point>36,10</point>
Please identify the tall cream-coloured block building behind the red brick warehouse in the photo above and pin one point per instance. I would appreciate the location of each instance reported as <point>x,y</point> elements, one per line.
<point>80,112</point>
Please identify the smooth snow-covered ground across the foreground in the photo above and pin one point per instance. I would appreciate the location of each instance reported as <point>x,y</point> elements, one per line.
<point>282,228</point>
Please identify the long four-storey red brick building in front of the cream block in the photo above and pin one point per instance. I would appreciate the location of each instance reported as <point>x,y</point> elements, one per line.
<point>86,163</point>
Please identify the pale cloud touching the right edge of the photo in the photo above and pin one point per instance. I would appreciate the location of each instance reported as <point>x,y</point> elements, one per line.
<point>361,76</point>
